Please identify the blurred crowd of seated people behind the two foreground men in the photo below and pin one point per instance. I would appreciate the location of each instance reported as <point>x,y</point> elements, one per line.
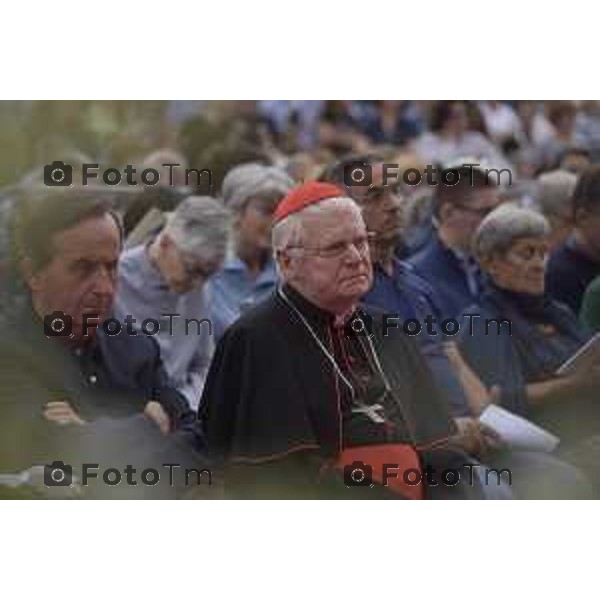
<point>538,263</point>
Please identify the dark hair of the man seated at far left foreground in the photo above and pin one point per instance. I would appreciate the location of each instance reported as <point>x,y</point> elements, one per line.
<point>37,218</point>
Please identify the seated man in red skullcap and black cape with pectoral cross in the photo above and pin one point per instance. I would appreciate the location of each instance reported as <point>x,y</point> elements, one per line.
<point>298,394</point>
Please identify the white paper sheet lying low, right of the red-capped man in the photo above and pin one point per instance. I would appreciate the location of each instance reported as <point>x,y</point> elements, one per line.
<point>517,432</point>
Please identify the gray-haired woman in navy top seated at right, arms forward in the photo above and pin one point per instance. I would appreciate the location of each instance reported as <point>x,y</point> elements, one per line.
<point>520,336</point>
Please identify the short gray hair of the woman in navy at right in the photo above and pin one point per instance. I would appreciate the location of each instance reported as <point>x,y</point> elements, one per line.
<point>503,226</point>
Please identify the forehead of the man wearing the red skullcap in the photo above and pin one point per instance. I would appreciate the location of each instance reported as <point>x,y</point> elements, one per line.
<point>332,223</point>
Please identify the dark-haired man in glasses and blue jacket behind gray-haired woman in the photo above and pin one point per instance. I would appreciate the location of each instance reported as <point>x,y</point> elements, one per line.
<point>446,262</point>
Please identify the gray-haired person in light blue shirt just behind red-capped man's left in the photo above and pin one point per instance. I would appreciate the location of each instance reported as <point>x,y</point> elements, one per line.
<point>251,192</point>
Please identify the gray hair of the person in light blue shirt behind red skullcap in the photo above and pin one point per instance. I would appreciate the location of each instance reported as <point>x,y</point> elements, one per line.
<point>252,179</point>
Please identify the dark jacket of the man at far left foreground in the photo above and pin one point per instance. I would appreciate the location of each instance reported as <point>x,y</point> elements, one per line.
<point>114,377</point>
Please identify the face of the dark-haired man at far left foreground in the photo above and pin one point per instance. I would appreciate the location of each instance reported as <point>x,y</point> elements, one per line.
<point>81,277</point>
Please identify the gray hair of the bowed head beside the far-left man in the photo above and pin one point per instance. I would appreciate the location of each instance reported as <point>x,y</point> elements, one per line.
<point>199,226</point>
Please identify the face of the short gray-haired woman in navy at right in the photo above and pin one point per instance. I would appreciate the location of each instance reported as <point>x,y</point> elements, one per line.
<point>523,267</point>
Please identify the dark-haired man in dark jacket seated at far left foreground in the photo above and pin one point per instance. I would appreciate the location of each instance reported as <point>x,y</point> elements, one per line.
<point>60,381</point>
